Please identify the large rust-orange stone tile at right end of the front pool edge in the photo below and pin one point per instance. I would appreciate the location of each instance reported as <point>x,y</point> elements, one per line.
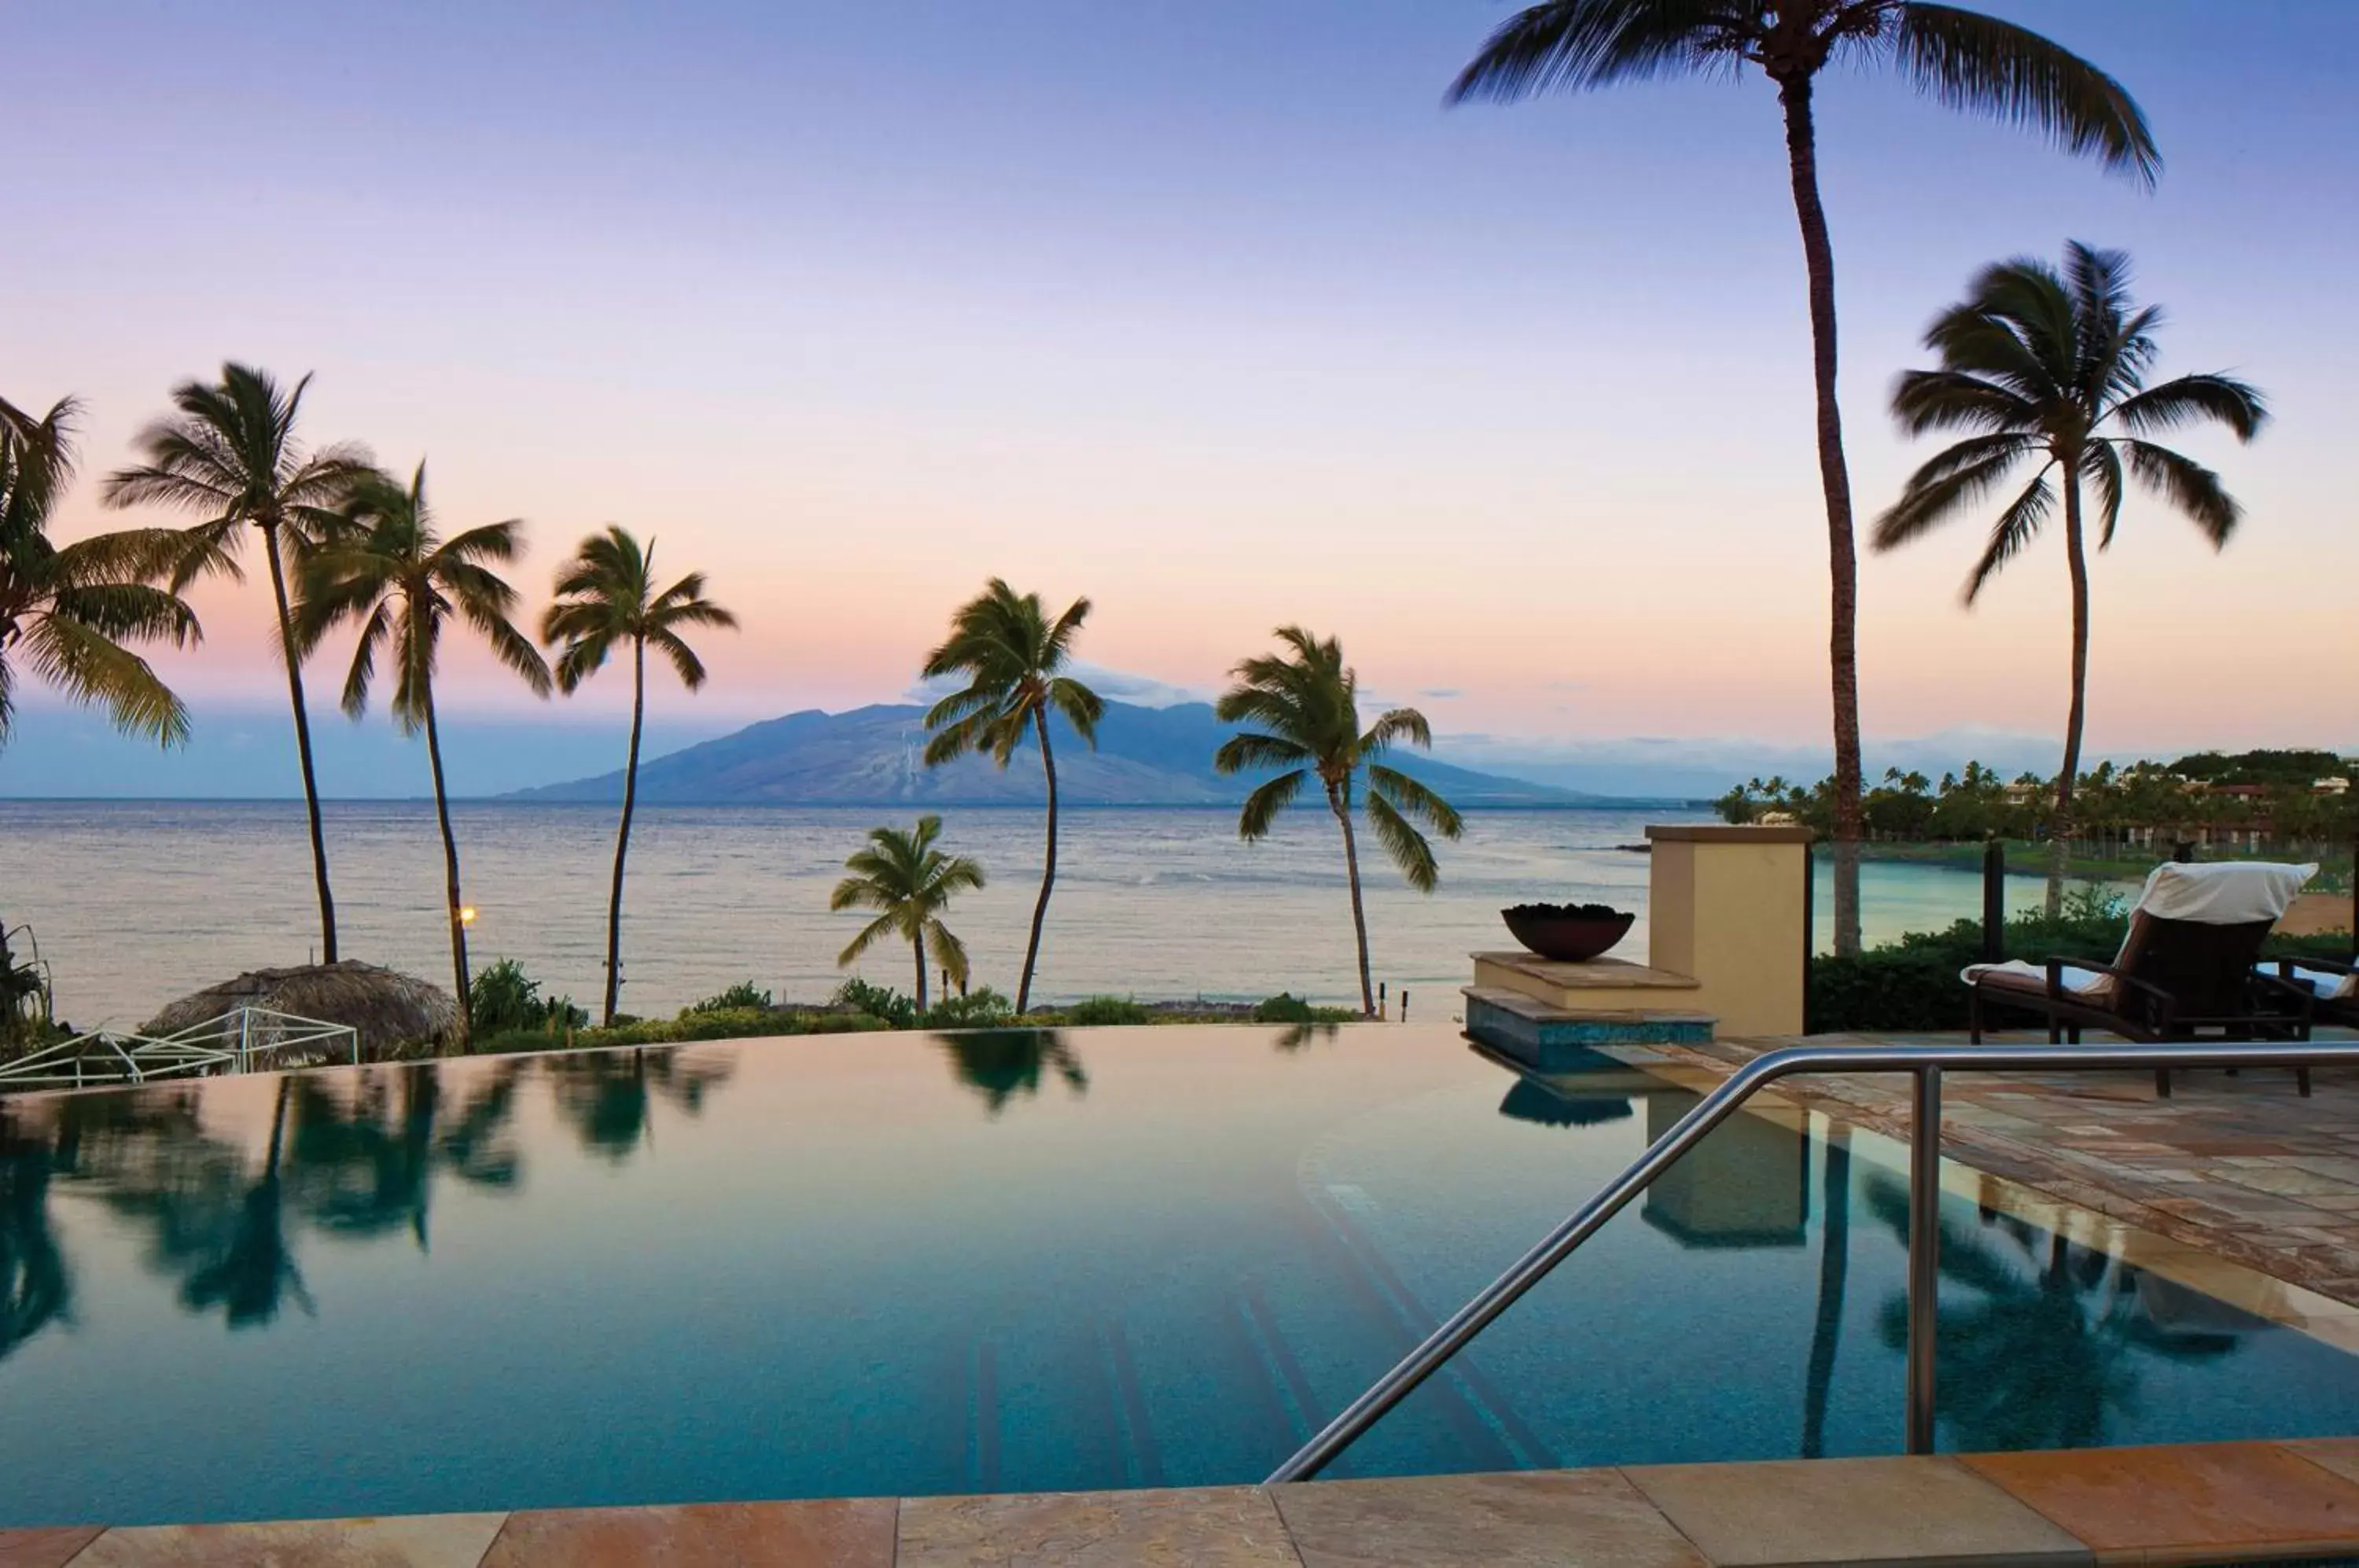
<point>2197,1503</point>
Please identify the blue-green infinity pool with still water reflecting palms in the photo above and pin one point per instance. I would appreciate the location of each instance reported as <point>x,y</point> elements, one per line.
<point>999,1263</point>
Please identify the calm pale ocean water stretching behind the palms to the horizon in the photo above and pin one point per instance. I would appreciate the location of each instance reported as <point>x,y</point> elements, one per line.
<point>143,902</point>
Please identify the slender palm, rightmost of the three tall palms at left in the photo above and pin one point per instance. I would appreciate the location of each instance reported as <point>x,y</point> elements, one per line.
<point>607,595</point>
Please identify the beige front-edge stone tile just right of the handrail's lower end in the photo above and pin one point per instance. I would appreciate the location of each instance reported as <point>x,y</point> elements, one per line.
<point>1560,1520</point>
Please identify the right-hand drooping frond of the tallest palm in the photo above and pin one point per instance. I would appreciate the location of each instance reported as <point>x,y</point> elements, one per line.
<point>2011,74</point>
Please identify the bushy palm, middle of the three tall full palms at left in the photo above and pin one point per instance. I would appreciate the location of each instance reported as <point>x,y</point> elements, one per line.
<point>402,584</point>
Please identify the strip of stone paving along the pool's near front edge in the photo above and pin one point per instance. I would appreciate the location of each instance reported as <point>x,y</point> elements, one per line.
<point>2209,1503</point>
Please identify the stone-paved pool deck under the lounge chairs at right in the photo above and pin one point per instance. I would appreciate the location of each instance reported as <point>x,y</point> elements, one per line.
<point>2226,1180</point>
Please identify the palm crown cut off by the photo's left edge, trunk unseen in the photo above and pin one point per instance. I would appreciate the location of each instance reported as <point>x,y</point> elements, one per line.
<point>67,610</point>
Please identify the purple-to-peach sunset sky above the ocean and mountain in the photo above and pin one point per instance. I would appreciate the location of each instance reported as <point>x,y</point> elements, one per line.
<point>1209,312</point>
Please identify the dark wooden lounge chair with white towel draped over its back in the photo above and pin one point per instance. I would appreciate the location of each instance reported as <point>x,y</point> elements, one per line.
<point>2188,968</point>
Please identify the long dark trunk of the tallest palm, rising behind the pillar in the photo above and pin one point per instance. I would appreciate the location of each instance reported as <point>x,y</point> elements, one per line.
<point>1836,480</point>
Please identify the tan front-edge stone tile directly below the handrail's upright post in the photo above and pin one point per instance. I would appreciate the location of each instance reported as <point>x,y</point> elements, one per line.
<point>1919,1513</point>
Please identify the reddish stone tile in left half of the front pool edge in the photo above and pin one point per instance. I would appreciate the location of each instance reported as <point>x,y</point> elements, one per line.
<point>827,1534</point>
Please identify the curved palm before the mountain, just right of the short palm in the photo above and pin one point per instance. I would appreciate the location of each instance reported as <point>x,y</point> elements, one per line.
<point>1011,654</point>
